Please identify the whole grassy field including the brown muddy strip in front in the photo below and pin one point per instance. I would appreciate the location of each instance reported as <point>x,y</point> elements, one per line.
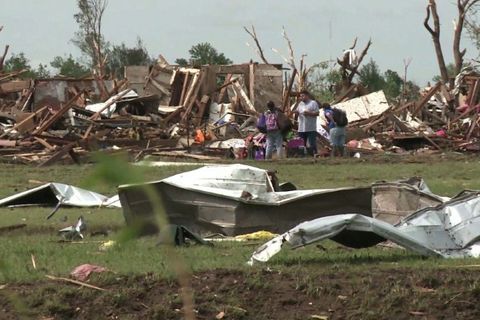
<point>143,279</point>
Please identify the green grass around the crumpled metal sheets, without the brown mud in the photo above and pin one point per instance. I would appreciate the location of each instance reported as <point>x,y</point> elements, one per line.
<point>445,176</point>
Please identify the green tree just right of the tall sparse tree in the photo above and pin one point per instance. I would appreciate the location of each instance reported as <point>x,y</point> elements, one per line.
<point>121,56</point>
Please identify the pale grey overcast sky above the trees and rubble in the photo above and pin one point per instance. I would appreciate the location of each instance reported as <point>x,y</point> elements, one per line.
<point>319,28</point>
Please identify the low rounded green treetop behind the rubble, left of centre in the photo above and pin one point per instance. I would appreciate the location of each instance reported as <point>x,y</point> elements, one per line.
<point>202,54</point>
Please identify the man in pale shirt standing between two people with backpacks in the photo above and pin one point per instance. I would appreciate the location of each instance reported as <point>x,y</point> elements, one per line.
<point>308,111</point>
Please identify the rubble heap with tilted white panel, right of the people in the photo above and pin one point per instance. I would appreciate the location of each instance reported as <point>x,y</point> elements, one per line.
<point>441,120</point>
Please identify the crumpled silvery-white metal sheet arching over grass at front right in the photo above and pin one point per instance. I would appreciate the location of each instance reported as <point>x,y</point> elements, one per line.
<point>449,230</point>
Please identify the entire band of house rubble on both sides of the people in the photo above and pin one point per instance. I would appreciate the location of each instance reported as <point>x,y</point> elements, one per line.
<point>210,112</point>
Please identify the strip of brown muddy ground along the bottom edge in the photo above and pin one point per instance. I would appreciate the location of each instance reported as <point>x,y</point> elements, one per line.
<point>447,293</point>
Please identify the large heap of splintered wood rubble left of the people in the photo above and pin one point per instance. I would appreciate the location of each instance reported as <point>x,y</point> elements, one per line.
<point>154,110</point>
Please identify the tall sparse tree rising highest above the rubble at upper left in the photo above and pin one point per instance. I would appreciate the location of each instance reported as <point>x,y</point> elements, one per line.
<point>89,38</point>
